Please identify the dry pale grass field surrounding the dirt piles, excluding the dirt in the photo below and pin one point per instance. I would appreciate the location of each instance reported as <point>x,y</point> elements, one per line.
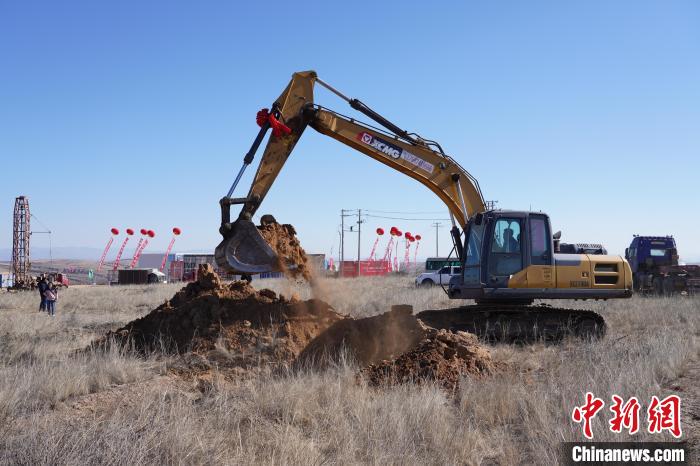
<point>62,406</point>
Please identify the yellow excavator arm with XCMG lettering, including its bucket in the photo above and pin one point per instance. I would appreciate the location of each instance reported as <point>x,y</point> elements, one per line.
<point>243,250</point>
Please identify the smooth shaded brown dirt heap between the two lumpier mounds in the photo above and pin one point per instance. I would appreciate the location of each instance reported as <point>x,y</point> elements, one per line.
<point>367,340</point>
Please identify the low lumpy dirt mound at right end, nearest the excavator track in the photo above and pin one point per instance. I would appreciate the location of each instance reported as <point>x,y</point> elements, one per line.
<point>443,356</point>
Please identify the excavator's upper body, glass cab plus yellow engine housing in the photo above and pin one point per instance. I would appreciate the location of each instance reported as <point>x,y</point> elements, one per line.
<point>509,258</point>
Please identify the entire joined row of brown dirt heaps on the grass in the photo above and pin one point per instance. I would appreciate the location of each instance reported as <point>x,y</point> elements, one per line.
<point>237,328</point>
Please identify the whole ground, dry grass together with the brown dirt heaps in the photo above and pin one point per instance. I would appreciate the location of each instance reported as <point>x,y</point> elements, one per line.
<point>332,373</point>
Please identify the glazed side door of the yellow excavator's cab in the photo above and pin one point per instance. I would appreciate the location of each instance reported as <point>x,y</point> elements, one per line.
<point>506,251</point>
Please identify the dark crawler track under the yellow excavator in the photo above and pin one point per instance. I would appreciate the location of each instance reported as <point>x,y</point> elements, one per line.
<point>517,323</point>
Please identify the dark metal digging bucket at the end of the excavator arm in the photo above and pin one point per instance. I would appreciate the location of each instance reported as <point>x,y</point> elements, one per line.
<point>245,251</point>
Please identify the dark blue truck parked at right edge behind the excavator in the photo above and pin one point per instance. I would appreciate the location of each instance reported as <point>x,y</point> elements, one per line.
<point>656,269</point>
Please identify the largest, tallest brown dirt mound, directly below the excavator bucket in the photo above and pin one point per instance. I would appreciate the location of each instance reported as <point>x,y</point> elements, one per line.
<point>231,325</point>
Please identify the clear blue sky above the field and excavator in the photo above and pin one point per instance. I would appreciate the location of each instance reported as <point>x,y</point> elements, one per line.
<point>139,113</point>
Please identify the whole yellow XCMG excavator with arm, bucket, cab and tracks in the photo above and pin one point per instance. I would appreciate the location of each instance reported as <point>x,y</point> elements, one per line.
<point>508,256</point>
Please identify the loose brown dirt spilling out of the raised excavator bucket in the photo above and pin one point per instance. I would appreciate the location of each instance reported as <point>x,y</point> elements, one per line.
<point>292,257</point>
